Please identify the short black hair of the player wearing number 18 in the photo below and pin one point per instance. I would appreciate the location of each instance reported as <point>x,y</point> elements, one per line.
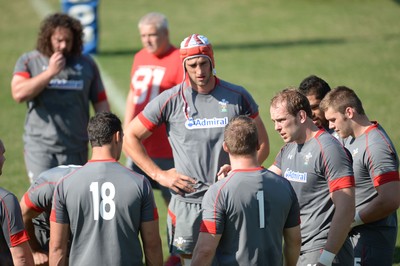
<point>101,128</point>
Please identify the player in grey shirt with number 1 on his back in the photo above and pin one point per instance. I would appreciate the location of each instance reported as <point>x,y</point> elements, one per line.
<point>248,213</point>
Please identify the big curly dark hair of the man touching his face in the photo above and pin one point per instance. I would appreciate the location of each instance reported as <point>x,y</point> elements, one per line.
<point>48,27</point>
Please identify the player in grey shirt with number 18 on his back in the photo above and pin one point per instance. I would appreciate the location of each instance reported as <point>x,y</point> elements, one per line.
<point>105,206</point>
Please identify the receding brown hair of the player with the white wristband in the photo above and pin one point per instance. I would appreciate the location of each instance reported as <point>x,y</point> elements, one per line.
<point>295,101</point>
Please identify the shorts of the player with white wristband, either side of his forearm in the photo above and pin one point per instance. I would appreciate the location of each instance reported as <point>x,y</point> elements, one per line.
<point>345,256</point>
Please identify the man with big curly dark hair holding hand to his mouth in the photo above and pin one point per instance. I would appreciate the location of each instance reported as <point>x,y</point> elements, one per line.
<point>57,82</point>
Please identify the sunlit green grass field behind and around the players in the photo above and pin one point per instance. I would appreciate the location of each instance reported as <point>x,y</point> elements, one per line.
<point>263,45</point>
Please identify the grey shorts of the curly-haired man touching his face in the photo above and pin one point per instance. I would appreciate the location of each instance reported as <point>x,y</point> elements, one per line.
<point>38,162</point>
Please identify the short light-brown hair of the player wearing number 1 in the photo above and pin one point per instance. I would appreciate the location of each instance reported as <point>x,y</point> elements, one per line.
<point>241,136</point>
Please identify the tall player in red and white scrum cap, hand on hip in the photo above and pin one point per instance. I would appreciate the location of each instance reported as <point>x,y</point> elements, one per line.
<point>195,112</point>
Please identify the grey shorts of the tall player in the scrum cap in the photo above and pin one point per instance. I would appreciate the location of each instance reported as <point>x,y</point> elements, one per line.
<point>183,222</point>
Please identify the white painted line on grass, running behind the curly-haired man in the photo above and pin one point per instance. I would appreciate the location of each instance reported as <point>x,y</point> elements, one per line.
<point>117,100</point>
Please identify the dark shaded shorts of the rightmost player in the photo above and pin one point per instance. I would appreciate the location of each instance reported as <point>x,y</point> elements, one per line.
<point>373,245</point>
